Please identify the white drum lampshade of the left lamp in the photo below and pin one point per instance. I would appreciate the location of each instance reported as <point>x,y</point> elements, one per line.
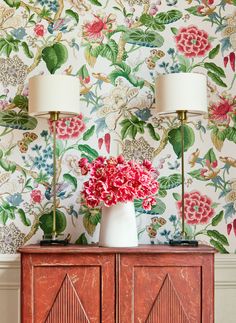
<point>54,93</point>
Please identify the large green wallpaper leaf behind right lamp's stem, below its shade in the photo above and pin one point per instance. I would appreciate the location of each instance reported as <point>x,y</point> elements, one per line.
<point>174,137</point>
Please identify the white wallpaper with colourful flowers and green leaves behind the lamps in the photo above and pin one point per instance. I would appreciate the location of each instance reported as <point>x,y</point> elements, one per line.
<point>117,48</point>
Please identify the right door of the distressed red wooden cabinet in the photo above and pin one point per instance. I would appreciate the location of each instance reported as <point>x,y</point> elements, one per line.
<point>161,288</point>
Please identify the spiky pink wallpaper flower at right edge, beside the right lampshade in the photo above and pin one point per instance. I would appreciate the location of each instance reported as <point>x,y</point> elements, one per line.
<point>219,111</point>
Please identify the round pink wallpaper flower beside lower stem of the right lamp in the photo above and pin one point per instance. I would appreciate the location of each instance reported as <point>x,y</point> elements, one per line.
<point>198,208</point>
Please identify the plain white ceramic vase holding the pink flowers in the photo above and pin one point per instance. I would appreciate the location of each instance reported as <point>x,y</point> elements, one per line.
<point>118,226</point>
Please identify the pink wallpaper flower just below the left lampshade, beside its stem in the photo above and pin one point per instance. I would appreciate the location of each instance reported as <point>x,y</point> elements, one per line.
<point>68,128</point>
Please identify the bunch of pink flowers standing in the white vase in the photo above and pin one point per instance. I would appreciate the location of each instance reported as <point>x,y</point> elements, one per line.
<point>115,180</point>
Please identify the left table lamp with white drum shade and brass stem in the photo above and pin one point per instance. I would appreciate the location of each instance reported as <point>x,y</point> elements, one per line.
<point>54,97</point>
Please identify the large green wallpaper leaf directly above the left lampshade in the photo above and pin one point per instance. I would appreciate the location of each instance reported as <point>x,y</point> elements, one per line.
<point>54,56</point>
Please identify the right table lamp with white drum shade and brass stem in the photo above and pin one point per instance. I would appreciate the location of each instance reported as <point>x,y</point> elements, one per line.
<point>181,95</point>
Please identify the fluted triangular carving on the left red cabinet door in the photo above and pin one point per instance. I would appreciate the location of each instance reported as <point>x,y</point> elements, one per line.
<point>67,307</point>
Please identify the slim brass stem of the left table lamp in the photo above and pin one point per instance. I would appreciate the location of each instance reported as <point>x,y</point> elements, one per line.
<point>54,116</point>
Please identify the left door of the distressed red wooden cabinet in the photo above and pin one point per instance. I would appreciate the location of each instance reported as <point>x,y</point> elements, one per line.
<point>68,288</point>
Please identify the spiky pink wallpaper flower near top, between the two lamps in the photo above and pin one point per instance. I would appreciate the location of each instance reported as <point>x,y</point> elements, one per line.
<point>94,30</point>
